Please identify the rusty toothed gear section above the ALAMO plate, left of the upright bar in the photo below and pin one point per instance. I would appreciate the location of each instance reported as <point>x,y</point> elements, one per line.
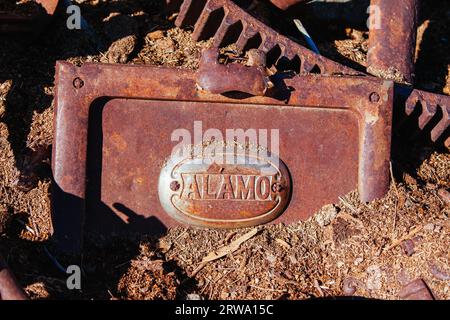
<point>227,23</point>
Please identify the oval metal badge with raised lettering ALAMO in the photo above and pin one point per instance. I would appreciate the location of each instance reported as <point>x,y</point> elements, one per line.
<point>227,190</point>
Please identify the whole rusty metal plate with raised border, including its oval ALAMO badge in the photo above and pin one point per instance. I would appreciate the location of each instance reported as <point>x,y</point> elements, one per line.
<point>116,129</point>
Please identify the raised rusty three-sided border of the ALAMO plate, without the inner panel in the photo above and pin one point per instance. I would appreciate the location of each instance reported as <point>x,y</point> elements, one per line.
<point>78,89</point>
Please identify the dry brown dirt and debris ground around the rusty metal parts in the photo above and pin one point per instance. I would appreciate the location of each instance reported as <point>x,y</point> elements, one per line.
<point>348,248</point>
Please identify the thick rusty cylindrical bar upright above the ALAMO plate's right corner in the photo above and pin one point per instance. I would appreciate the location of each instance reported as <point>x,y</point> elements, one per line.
<point>392,39</point>
